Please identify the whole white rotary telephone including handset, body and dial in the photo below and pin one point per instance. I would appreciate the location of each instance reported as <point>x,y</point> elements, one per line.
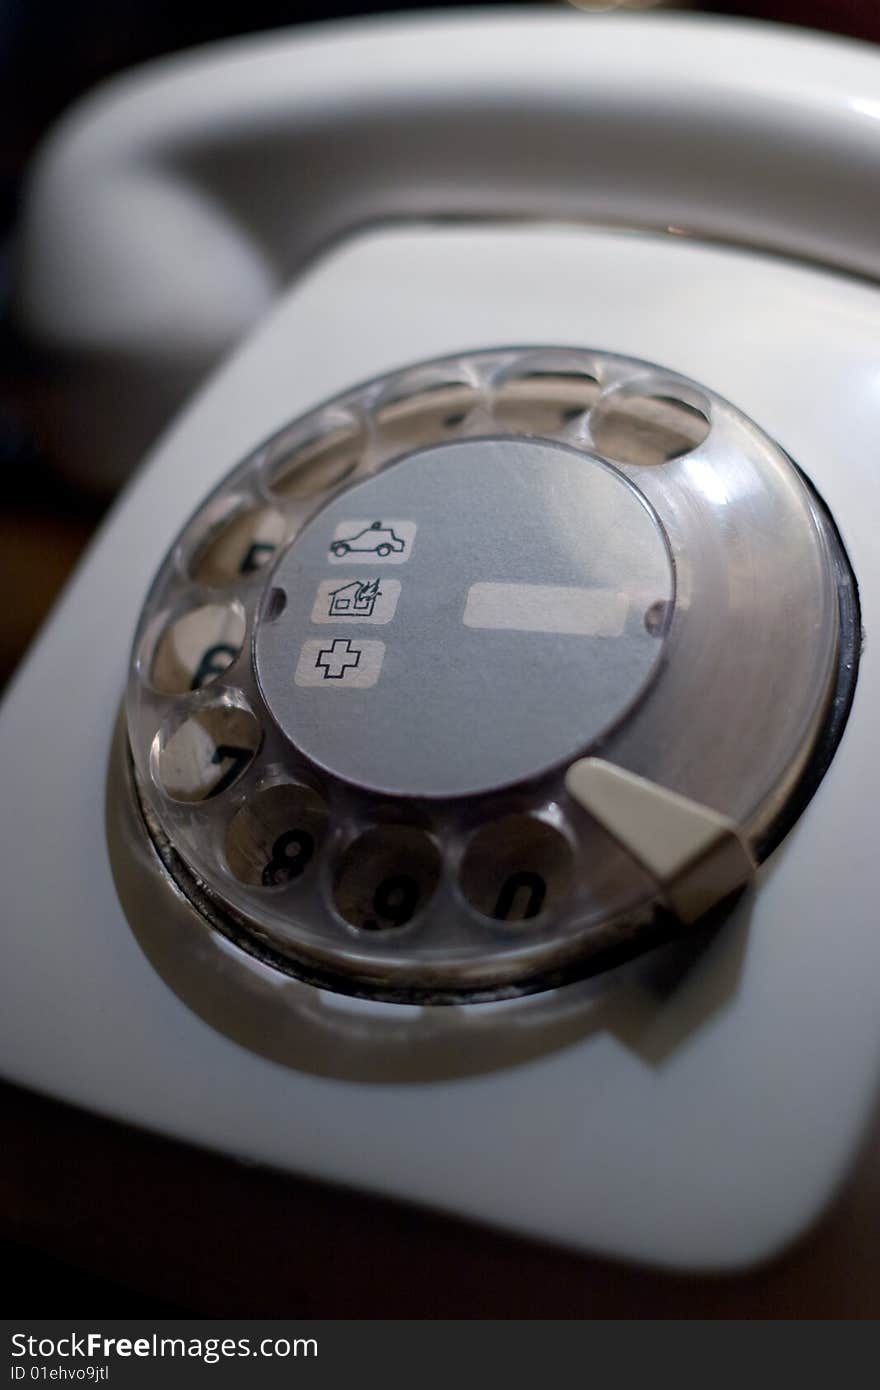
<point>510,619</point>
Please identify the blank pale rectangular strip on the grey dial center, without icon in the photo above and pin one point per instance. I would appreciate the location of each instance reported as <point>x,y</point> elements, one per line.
<point>547,608</point>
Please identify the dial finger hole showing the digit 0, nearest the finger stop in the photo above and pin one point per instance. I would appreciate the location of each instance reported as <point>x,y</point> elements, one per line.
<point>516,869</point>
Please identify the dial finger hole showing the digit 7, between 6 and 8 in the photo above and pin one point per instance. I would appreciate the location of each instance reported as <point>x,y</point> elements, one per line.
<point>206,754</point>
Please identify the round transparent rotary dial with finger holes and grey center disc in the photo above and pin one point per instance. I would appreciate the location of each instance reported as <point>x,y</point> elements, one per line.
<point>372,661</point>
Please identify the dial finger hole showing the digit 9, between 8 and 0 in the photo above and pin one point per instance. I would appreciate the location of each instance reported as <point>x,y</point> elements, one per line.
<point>387,878</point>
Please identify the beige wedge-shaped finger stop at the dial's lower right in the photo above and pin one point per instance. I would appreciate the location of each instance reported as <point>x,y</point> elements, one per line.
<point>696,856</point>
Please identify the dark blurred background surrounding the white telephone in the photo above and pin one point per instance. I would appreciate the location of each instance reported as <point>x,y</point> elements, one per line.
<point>65,1172</point>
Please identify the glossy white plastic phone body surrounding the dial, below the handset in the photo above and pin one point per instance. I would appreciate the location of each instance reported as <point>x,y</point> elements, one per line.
<point>697,1118</point>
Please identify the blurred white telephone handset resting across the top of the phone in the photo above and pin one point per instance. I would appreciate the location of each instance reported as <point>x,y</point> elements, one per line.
<point>172,209</point>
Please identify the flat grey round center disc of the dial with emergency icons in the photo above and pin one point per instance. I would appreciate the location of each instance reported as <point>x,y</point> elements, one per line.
<point>471,618</point>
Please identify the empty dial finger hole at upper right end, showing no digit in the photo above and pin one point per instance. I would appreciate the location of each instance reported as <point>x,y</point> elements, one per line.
<point>647,430</point>
